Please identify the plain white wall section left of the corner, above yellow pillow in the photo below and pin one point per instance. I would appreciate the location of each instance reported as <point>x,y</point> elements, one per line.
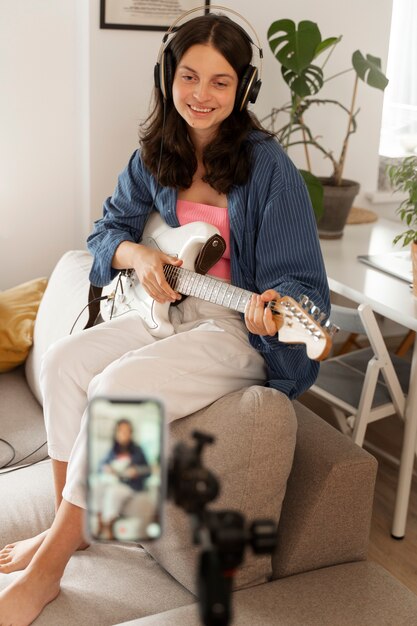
<point>37,131</point>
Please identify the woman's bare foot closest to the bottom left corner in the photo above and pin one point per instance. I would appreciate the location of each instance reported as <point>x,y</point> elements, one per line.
<point>27,596</point>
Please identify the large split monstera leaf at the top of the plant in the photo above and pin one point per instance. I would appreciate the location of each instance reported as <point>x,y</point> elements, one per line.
<point>294,47</point>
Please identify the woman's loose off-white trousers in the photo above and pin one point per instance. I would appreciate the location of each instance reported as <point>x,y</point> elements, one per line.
<point>207,357</point>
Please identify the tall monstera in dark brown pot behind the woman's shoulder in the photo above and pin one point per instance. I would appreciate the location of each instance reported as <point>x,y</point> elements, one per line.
<point>296,48</point>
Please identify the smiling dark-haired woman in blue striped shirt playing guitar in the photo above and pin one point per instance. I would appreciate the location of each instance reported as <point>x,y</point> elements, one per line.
<point>213,162</point>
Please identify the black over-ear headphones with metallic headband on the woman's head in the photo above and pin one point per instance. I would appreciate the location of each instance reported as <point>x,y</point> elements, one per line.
<point>164,70</point>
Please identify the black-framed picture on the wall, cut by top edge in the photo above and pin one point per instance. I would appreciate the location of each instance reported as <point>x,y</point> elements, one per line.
<point>146,14</point>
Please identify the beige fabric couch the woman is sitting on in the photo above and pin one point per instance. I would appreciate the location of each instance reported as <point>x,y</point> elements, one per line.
<point>320,492</point>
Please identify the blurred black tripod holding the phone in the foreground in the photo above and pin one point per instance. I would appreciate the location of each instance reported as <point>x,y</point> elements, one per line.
<point>223,535</point>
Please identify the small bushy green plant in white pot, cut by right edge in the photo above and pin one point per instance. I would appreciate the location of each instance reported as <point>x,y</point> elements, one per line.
<point>403,178</point>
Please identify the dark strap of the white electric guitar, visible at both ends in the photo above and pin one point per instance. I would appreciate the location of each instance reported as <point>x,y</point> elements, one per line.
<point>210,253</point>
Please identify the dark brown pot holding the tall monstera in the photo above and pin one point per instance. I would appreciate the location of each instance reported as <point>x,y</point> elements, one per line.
<point>337,202</point>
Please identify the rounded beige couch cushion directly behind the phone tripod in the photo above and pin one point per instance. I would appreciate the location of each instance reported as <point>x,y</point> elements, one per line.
<point>255,431</point>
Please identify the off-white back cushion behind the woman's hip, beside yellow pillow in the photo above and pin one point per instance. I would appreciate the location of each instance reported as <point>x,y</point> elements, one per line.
<point>64,299</point>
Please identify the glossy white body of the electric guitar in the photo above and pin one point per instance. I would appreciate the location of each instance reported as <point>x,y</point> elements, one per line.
<point>184,242</point>
